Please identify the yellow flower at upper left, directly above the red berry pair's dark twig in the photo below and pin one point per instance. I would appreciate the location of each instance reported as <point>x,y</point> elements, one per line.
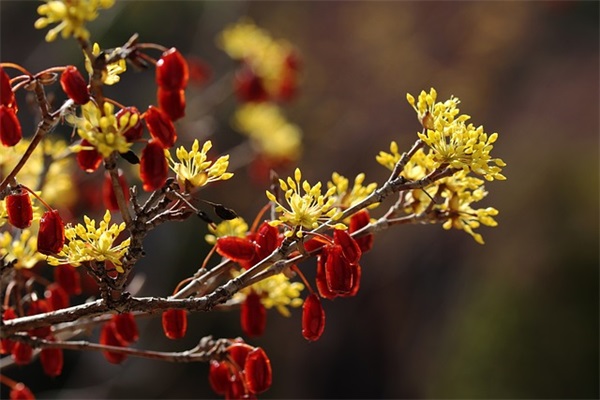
<point>101,129</point>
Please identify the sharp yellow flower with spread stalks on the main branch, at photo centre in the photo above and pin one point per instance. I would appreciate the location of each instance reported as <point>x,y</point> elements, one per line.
<point>305,210</point>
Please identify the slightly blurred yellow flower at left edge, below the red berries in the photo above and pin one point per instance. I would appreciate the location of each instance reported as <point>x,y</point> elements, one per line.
<point>22,248</point>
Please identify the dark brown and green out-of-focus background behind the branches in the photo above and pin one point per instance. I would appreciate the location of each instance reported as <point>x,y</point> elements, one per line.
<point>437,316</point>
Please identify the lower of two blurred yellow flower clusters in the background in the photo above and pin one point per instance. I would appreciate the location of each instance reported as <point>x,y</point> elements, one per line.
<point>270,132</point>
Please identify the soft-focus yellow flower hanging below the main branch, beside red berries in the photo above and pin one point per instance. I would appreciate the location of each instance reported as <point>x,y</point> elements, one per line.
<point>276,291</point>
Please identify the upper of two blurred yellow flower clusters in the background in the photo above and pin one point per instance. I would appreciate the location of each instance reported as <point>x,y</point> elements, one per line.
<point>246,41</point>
